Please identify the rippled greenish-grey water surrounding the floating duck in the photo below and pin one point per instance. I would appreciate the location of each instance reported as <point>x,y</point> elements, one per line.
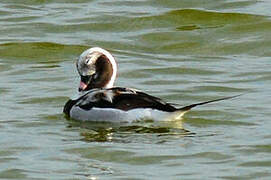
<point>182,51</point>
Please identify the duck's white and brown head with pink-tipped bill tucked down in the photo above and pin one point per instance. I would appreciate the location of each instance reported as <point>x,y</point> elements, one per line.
<point>97,69</point>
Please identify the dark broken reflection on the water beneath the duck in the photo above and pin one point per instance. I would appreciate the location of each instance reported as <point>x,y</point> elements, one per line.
<point>108,132</point>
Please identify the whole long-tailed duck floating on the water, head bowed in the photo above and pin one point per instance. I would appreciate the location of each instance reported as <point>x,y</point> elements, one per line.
<point>98,100</point>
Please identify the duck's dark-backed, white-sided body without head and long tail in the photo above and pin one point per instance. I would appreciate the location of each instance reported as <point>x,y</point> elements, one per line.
<point>119,105</point>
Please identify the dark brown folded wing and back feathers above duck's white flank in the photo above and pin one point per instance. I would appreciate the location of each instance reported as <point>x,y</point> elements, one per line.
<point>122,98</point>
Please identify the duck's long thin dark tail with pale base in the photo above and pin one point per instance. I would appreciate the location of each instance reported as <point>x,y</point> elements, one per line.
<point>181,111</point>
